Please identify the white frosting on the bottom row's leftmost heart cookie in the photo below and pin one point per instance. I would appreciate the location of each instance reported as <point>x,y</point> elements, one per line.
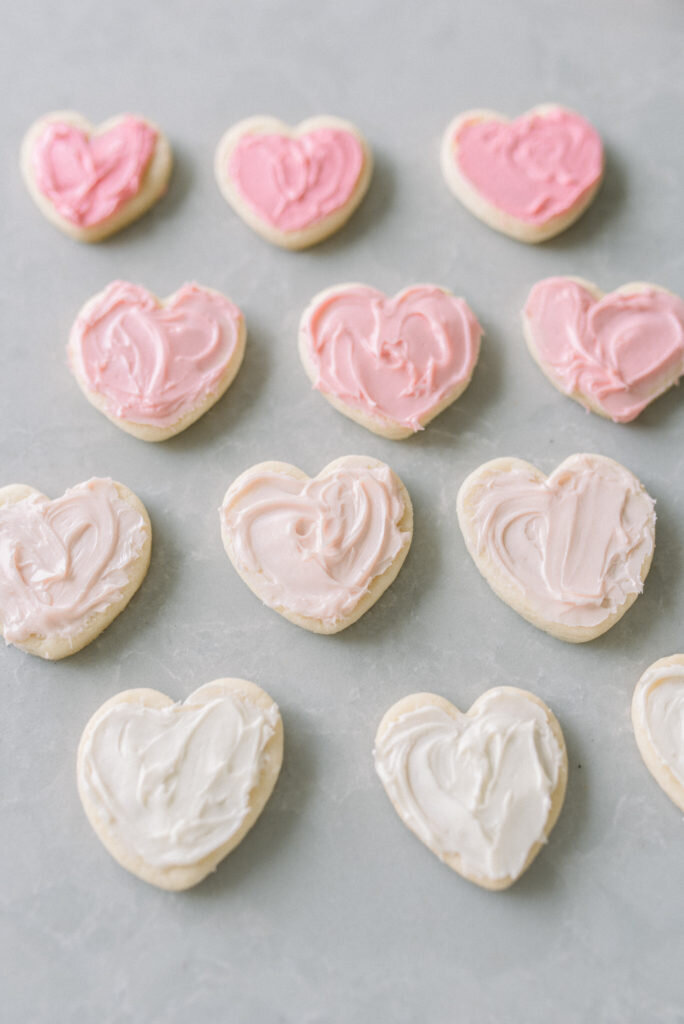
<point>174,784</point>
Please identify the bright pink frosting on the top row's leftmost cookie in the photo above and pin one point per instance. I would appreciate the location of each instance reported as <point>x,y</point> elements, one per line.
<point>90,179</point>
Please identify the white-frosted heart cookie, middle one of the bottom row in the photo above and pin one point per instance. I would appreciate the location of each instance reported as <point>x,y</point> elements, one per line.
<point>482,790</point>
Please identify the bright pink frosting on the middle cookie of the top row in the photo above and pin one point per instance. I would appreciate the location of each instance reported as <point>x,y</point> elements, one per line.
<point>294,183</point>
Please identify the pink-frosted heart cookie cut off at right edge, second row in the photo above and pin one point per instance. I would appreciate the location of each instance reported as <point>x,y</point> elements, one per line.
<point>619,353</point>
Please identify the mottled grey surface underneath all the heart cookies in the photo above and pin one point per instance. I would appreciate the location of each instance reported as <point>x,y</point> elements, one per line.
<point>331,911</point>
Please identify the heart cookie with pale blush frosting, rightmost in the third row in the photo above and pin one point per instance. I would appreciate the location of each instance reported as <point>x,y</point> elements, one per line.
<point>569,552</point>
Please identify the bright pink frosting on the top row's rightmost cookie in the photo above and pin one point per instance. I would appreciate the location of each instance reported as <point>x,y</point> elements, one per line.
<point>534,168</point>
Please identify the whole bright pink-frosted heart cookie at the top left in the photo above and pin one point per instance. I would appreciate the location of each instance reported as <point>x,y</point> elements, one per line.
<point>92,181</point>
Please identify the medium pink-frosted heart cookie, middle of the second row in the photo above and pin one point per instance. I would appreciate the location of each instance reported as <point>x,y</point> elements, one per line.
<point>390,364</point>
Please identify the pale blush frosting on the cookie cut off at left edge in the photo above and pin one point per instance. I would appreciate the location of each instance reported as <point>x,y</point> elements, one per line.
<point>65,561</point>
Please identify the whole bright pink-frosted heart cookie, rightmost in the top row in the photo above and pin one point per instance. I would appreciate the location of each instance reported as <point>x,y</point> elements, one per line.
<point>530,179</point>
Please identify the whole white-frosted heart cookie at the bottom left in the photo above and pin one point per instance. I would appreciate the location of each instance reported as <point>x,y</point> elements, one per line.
<point>172,789</point>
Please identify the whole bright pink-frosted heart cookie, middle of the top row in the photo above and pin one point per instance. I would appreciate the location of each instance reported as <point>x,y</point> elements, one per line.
<point>294,187</point>
